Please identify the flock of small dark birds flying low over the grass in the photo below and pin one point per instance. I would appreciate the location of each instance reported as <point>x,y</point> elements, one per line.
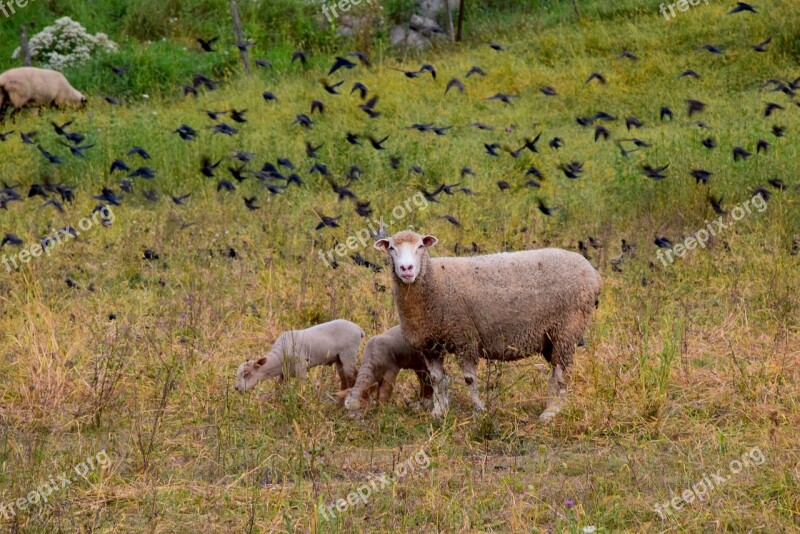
<point>283,174</point>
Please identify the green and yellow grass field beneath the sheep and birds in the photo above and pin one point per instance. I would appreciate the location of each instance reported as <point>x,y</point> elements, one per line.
<point>687,367</point>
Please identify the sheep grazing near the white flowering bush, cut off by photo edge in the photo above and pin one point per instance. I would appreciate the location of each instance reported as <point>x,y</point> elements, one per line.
<point>29,86</point>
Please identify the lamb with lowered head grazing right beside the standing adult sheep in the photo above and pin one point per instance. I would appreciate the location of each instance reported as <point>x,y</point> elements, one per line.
<point>384,356</point>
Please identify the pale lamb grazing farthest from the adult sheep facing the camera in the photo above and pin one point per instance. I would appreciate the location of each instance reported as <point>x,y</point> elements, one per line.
<point>294,352</point>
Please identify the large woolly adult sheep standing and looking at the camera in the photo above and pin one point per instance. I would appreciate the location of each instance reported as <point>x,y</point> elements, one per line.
<point>499,307</point>
